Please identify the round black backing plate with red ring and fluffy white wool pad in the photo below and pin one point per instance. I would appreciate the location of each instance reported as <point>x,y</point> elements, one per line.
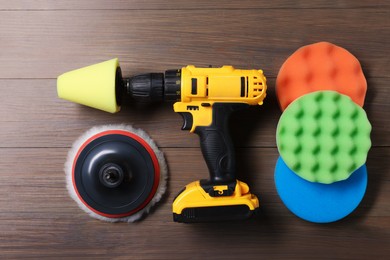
<point>116,173</point>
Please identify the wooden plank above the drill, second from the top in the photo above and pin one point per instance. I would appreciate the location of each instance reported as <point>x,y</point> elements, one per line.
<point>153,40</point>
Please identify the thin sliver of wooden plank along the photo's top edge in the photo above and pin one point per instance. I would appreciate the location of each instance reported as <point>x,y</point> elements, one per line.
<point>184,5</point>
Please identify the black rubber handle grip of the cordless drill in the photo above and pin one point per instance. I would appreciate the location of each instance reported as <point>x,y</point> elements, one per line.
<point>216,144</point>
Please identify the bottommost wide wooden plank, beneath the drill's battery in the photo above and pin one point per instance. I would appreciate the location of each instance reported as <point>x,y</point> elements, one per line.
<point>39,219</point>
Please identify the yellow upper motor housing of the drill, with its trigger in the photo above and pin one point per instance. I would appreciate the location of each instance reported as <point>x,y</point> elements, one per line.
<point>225,84</point>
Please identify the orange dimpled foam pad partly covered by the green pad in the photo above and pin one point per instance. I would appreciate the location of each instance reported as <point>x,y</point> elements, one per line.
<point>320,66</point>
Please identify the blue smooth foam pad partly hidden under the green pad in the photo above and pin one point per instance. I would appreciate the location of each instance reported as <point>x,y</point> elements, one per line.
<point>317,202</point>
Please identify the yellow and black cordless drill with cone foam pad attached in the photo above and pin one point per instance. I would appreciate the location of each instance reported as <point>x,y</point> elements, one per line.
<point>205,97</point>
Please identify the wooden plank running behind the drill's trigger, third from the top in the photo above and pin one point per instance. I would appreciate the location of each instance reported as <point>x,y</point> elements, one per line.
<point>63,121</point>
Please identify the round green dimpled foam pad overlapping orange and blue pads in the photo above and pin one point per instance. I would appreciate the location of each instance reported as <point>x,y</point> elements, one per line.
<point>323,136</point>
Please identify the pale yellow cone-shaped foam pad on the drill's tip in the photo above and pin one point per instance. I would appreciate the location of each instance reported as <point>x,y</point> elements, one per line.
<point>98,86</point>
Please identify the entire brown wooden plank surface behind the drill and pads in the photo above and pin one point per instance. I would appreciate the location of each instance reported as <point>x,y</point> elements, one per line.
<point>41,39</point>
